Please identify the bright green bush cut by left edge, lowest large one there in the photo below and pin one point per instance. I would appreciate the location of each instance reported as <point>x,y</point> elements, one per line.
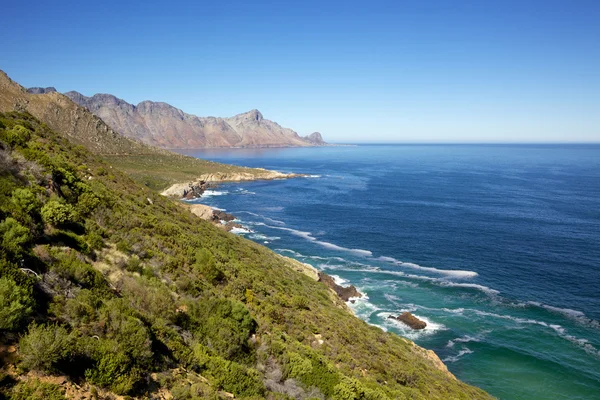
<point>16,303</point>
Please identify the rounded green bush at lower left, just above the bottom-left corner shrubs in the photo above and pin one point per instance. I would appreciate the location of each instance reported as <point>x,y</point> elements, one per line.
<point>44,346</point>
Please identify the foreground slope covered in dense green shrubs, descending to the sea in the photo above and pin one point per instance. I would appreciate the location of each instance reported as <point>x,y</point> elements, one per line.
<point>123,291</point>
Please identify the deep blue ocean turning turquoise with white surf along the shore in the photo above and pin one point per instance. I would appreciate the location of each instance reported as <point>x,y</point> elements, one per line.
<point>496,247</point>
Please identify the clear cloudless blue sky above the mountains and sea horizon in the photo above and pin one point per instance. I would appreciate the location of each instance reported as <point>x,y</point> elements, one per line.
<point>417,71</point>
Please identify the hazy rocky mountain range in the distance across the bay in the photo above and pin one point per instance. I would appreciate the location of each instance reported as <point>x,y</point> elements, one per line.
<point>162,125</point>
